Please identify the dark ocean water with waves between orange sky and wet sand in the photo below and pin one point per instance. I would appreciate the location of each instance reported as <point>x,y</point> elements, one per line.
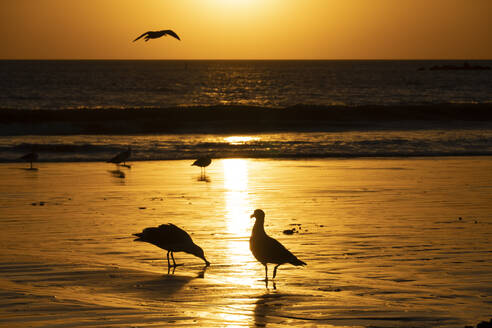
<point>88,110</point>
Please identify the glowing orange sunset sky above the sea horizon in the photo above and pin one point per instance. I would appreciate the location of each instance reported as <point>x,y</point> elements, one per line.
<point>247,29</point>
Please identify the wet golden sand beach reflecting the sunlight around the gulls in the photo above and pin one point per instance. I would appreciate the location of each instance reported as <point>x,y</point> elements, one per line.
<point>388,242</point>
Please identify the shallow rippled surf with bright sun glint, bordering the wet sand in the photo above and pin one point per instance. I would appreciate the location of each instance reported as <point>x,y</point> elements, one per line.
<point>464,142</point>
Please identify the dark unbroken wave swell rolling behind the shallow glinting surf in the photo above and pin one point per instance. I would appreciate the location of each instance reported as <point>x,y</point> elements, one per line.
<point>239,119</point>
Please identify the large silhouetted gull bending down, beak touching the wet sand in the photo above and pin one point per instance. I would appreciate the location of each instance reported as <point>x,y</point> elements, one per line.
<point>173,239</point>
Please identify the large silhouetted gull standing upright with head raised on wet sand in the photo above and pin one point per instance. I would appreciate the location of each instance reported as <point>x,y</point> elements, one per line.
<point>268,250</point>
